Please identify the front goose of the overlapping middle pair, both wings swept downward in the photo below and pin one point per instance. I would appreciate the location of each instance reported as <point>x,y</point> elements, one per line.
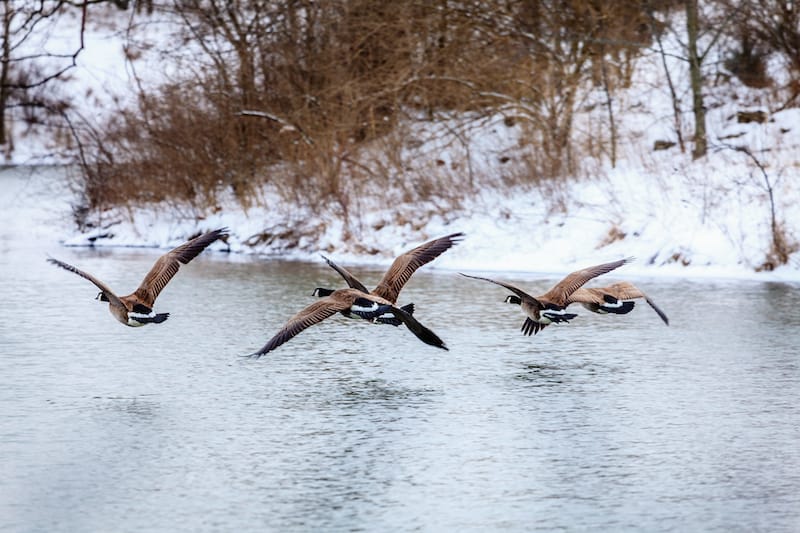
<point>352,303</point>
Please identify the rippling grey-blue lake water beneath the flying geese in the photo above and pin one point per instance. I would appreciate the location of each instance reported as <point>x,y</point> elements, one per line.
<point>609,423</point>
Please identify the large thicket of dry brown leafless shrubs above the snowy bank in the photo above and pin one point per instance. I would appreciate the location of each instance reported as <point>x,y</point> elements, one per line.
<point>305,97</point>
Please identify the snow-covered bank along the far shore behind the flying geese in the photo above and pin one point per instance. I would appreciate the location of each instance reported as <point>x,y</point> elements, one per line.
<point>706,218</point>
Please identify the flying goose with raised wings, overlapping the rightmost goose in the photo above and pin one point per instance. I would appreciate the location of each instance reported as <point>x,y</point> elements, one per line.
<point>551,306</point>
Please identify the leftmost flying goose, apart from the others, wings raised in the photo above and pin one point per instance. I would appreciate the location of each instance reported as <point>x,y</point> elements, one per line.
<point>136,309</point>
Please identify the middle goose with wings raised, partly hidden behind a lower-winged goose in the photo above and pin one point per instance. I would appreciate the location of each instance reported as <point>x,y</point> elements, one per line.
<point>398,274</point>
